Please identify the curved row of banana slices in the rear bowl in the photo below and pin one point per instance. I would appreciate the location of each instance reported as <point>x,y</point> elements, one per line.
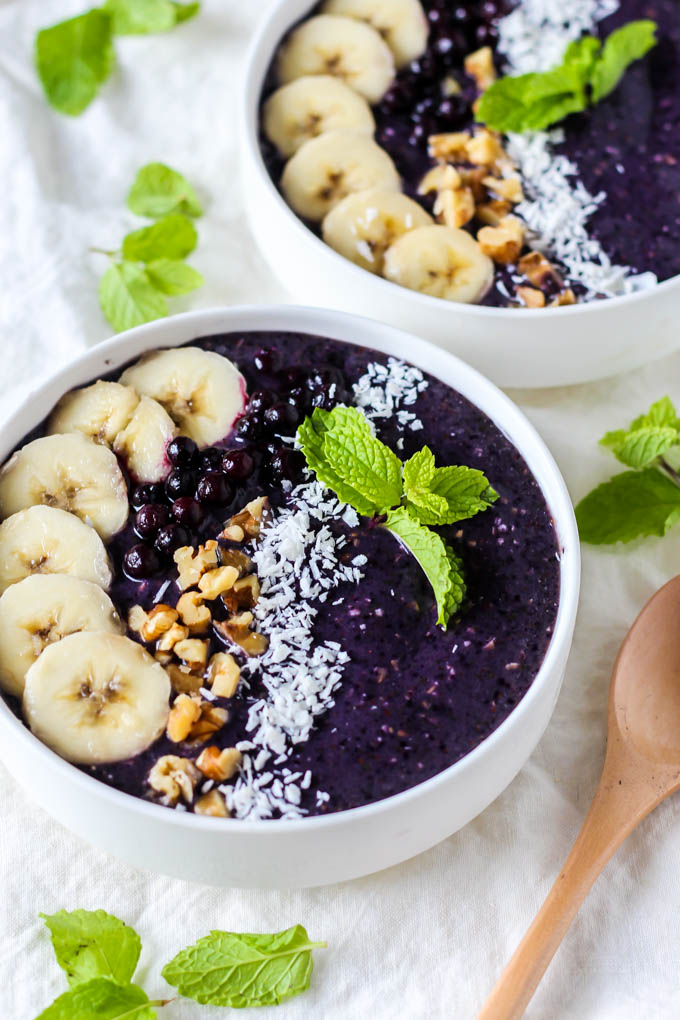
<point>332,67</point>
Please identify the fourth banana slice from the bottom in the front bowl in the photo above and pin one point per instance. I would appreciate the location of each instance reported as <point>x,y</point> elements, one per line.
<point>71,473</point>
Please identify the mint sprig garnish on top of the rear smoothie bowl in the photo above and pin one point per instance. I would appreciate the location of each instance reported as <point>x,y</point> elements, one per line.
<point>589,73</point>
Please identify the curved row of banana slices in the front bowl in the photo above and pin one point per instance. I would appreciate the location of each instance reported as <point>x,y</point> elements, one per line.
<point>89,692</point>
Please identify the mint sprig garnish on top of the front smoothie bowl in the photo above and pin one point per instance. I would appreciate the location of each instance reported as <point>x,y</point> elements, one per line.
<point>347,457</point>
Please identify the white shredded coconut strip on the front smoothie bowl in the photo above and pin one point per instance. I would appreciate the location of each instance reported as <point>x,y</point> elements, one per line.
<point>297,564</point>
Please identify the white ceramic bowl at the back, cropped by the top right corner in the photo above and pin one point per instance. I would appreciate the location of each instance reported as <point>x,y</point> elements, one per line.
<point>514,347</point>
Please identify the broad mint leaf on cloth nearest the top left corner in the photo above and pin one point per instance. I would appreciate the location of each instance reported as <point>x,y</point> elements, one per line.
<point>74,59</point>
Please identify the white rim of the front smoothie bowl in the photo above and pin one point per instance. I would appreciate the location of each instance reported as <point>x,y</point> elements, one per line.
<point>298,319</point>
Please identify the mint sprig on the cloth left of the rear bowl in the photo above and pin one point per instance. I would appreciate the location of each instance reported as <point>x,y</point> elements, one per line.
<point>150,268</point>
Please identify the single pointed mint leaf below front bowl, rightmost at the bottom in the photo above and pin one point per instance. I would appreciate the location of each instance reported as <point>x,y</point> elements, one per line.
<point>242,971</point>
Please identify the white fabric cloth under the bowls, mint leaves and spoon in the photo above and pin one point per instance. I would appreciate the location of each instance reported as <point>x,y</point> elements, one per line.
<point>426,940</point>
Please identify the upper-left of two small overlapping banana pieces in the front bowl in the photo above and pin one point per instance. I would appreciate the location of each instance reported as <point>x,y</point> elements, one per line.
<point>99,412</point>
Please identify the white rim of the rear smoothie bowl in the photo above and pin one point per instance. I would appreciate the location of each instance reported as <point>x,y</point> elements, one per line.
<point>249,109</point>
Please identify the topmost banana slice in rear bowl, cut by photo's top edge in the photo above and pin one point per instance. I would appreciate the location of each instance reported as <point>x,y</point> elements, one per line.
<point>401,23</point>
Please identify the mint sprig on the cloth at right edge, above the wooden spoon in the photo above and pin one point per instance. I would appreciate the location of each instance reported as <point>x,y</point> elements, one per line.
<point>645,501</point>
